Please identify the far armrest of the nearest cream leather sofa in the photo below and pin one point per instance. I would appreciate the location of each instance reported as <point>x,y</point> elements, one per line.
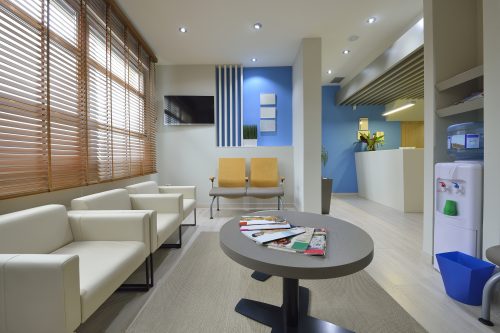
<point>111,225</point>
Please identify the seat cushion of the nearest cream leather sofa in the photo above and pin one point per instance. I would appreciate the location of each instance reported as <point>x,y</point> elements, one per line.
<point>104,266</point>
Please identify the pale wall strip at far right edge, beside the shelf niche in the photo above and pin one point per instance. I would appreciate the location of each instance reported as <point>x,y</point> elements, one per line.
<point>491,218</point>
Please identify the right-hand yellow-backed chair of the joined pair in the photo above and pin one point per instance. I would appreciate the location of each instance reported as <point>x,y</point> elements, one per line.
<point>265,180</point>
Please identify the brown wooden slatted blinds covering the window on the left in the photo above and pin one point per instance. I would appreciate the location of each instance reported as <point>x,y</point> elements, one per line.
<point>76,96</point>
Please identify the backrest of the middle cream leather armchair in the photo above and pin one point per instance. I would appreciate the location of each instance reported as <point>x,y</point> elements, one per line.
<point>110,200</point>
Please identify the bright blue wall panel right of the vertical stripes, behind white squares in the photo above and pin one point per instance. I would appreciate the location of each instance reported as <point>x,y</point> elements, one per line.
<point>278,80</point>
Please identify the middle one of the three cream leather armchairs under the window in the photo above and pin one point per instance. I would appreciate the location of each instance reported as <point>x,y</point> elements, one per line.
<point>165,211</point>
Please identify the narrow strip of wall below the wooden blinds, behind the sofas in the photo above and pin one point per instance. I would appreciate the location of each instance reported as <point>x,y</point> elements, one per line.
<point>64,197</point>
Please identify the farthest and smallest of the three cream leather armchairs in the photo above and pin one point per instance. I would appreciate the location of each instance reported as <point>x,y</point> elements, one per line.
<point>188,195</point>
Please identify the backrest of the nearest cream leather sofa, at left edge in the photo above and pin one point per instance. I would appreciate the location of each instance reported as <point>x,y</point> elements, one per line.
<point>37,230</point>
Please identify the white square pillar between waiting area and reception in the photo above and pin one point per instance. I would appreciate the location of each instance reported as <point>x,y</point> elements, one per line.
<point>307,125</point>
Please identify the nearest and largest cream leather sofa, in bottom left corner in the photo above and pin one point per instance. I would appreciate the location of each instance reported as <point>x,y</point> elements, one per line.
<point>57,268</point>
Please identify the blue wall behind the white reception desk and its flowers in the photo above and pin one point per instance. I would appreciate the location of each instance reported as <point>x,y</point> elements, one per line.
<point>339,131</point>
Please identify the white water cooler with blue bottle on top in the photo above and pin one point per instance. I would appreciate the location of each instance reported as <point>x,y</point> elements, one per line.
<point>458,209</point>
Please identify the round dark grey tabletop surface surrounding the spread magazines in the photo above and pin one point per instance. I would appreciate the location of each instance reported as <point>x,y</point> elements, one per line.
<point>349,248</point>
